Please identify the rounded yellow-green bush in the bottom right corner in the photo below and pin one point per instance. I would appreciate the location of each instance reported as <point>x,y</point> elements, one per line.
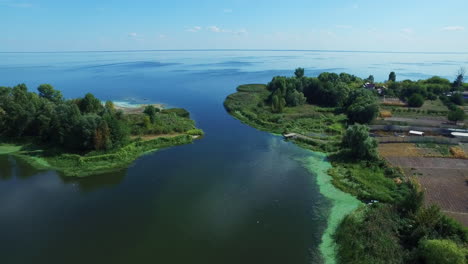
<point>442,252</point>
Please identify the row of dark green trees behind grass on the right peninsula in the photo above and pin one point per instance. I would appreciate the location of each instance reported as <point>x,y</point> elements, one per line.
<point>341,91</point>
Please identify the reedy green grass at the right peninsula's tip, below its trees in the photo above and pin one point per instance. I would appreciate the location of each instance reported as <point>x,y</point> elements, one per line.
<point>320,124</point>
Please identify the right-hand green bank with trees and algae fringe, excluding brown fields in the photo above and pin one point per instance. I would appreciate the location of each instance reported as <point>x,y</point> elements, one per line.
<point>377,214</point>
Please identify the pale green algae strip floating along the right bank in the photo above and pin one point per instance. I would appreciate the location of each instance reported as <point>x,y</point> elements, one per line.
<point>342,203</point>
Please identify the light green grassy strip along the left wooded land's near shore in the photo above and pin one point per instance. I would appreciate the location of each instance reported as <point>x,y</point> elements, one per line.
<point>74,165</point>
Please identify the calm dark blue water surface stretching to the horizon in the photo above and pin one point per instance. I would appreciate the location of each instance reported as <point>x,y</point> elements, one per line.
<point>237,196</point>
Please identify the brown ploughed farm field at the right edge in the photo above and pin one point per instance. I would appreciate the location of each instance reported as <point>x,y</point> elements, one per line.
<point>443,177</point>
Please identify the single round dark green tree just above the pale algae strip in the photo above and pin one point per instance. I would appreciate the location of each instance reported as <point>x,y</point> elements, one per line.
<point>359,144</point>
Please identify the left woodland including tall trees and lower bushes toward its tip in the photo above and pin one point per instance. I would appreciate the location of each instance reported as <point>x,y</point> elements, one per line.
<point>79,125</point>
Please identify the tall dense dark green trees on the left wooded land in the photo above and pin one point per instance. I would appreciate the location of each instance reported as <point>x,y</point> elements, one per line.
<point>81,124</point>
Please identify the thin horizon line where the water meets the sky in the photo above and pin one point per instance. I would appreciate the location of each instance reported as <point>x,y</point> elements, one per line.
<point>293,50</point>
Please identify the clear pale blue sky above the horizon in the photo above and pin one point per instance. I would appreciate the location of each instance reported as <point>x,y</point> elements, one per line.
<point>376,25</point>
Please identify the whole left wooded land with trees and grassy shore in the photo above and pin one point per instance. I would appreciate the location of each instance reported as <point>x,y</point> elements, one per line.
<point>84,136</point>
